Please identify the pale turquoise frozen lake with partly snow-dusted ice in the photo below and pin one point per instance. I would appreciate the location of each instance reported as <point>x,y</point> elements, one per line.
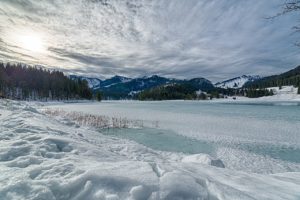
<point>261,137</point>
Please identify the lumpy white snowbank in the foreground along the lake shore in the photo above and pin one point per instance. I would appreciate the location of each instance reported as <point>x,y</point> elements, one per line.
<point>45,158</point>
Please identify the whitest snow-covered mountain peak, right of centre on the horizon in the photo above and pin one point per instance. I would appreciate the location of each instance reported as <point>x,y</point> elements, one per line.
<point>237,82</point>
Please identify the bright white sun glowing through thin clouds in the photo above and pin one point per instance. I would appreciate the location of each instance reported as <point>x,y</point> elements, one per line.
<point>31,42</point>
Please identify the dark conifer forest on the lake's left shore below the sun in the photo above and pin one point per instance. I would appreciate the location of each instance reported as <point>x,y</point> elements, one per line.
<point>24,82</point>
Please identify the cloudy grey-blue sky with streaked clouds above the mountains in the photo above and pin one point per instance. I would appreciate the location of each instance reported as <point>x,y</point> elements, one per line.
<point>215,39</point>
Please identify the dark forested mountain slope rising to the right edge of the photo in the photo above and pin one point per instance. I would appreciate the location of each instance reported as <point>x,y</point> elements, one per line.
<point>291,78</point>
